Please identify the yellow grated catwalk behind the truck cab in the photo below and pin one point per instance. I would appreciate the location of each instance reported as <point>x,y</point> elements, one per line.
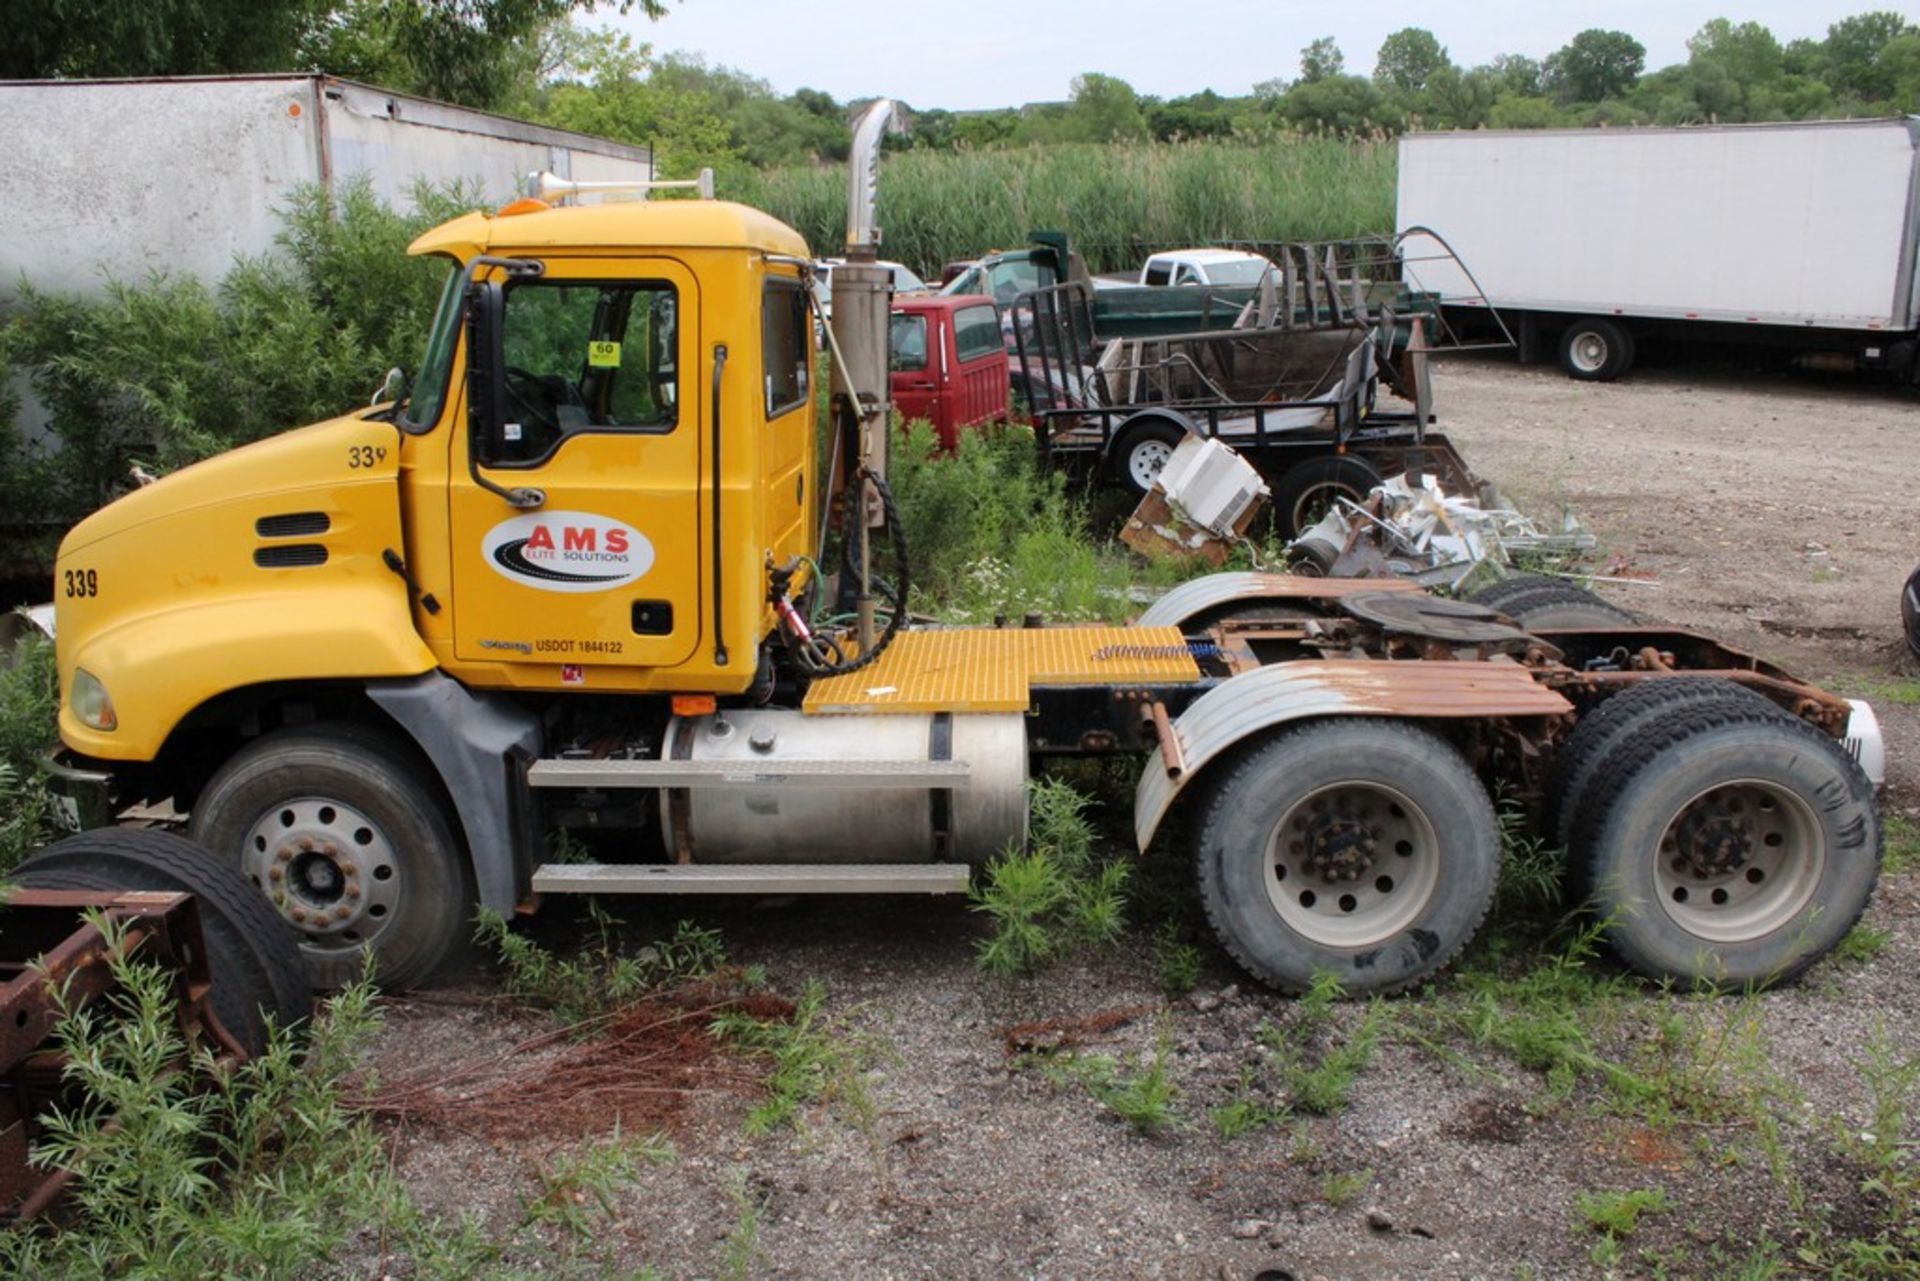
<point>992,669</point>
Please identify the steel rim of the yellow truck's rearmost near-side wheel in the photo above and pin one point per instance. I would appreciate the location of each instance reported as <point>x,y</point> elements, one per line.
<point>1740,861</point>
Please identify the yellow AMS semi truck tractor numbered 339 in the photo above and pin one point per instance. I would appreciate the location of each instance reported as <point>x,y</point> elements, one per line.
<point>562,585</point>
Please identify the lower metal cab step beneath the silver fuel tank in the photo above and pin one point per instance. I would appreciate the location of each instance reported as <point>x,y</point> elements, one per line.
<point>754,879</point>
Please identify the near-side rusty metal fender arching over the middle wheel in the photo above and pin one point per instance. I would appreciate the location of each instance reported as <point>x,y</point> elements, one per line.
<point>1253,704</point>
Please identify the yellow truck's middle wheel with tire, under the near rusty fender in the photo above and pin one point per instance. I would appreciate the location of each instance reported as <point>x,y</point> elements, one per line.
<point>1380,919</point>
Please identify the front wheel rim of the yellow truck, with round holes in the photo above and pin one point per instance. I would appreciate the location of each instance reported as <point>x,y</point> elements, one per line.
<point>329,871</point>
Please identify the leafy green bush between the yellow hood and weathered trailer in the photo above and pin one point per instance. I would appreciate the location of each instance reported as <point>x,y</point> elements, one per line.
<point>168,370</point>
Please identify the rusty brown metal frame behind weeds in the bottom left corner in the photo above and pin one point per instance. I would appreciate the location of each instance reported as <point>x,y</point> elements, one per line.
<point>70,969</point>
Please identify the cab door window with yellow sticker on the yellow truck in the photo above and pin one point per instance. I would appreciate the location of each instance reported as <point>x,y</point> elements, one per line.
<point>587,358</point>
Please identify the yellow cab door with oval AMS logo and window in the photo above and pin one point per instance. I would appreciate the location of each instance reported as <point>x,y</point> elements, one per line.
<point>592,422</point>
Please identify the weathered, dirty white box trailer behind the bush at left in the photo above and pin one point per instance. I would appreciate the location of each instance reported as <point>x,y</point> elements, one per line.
<point>187,174</point>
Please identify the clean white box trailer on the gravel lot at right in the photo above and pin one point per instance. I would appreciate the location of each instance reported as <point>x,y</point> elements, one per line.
<point>1790,235</point>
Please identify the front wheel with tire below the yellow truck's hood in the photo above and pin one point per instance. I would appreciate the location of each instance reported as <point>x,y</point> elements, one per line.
<point>304,813</point>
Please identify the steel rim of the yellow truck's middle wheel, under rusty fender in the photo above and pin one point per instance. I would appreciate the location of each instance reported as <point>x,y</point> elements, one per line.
<point>1330,888</point>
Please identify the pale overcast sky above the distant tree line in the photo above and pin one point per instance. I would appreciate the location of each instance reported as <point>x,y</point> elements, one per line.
<point>967,55</point>
